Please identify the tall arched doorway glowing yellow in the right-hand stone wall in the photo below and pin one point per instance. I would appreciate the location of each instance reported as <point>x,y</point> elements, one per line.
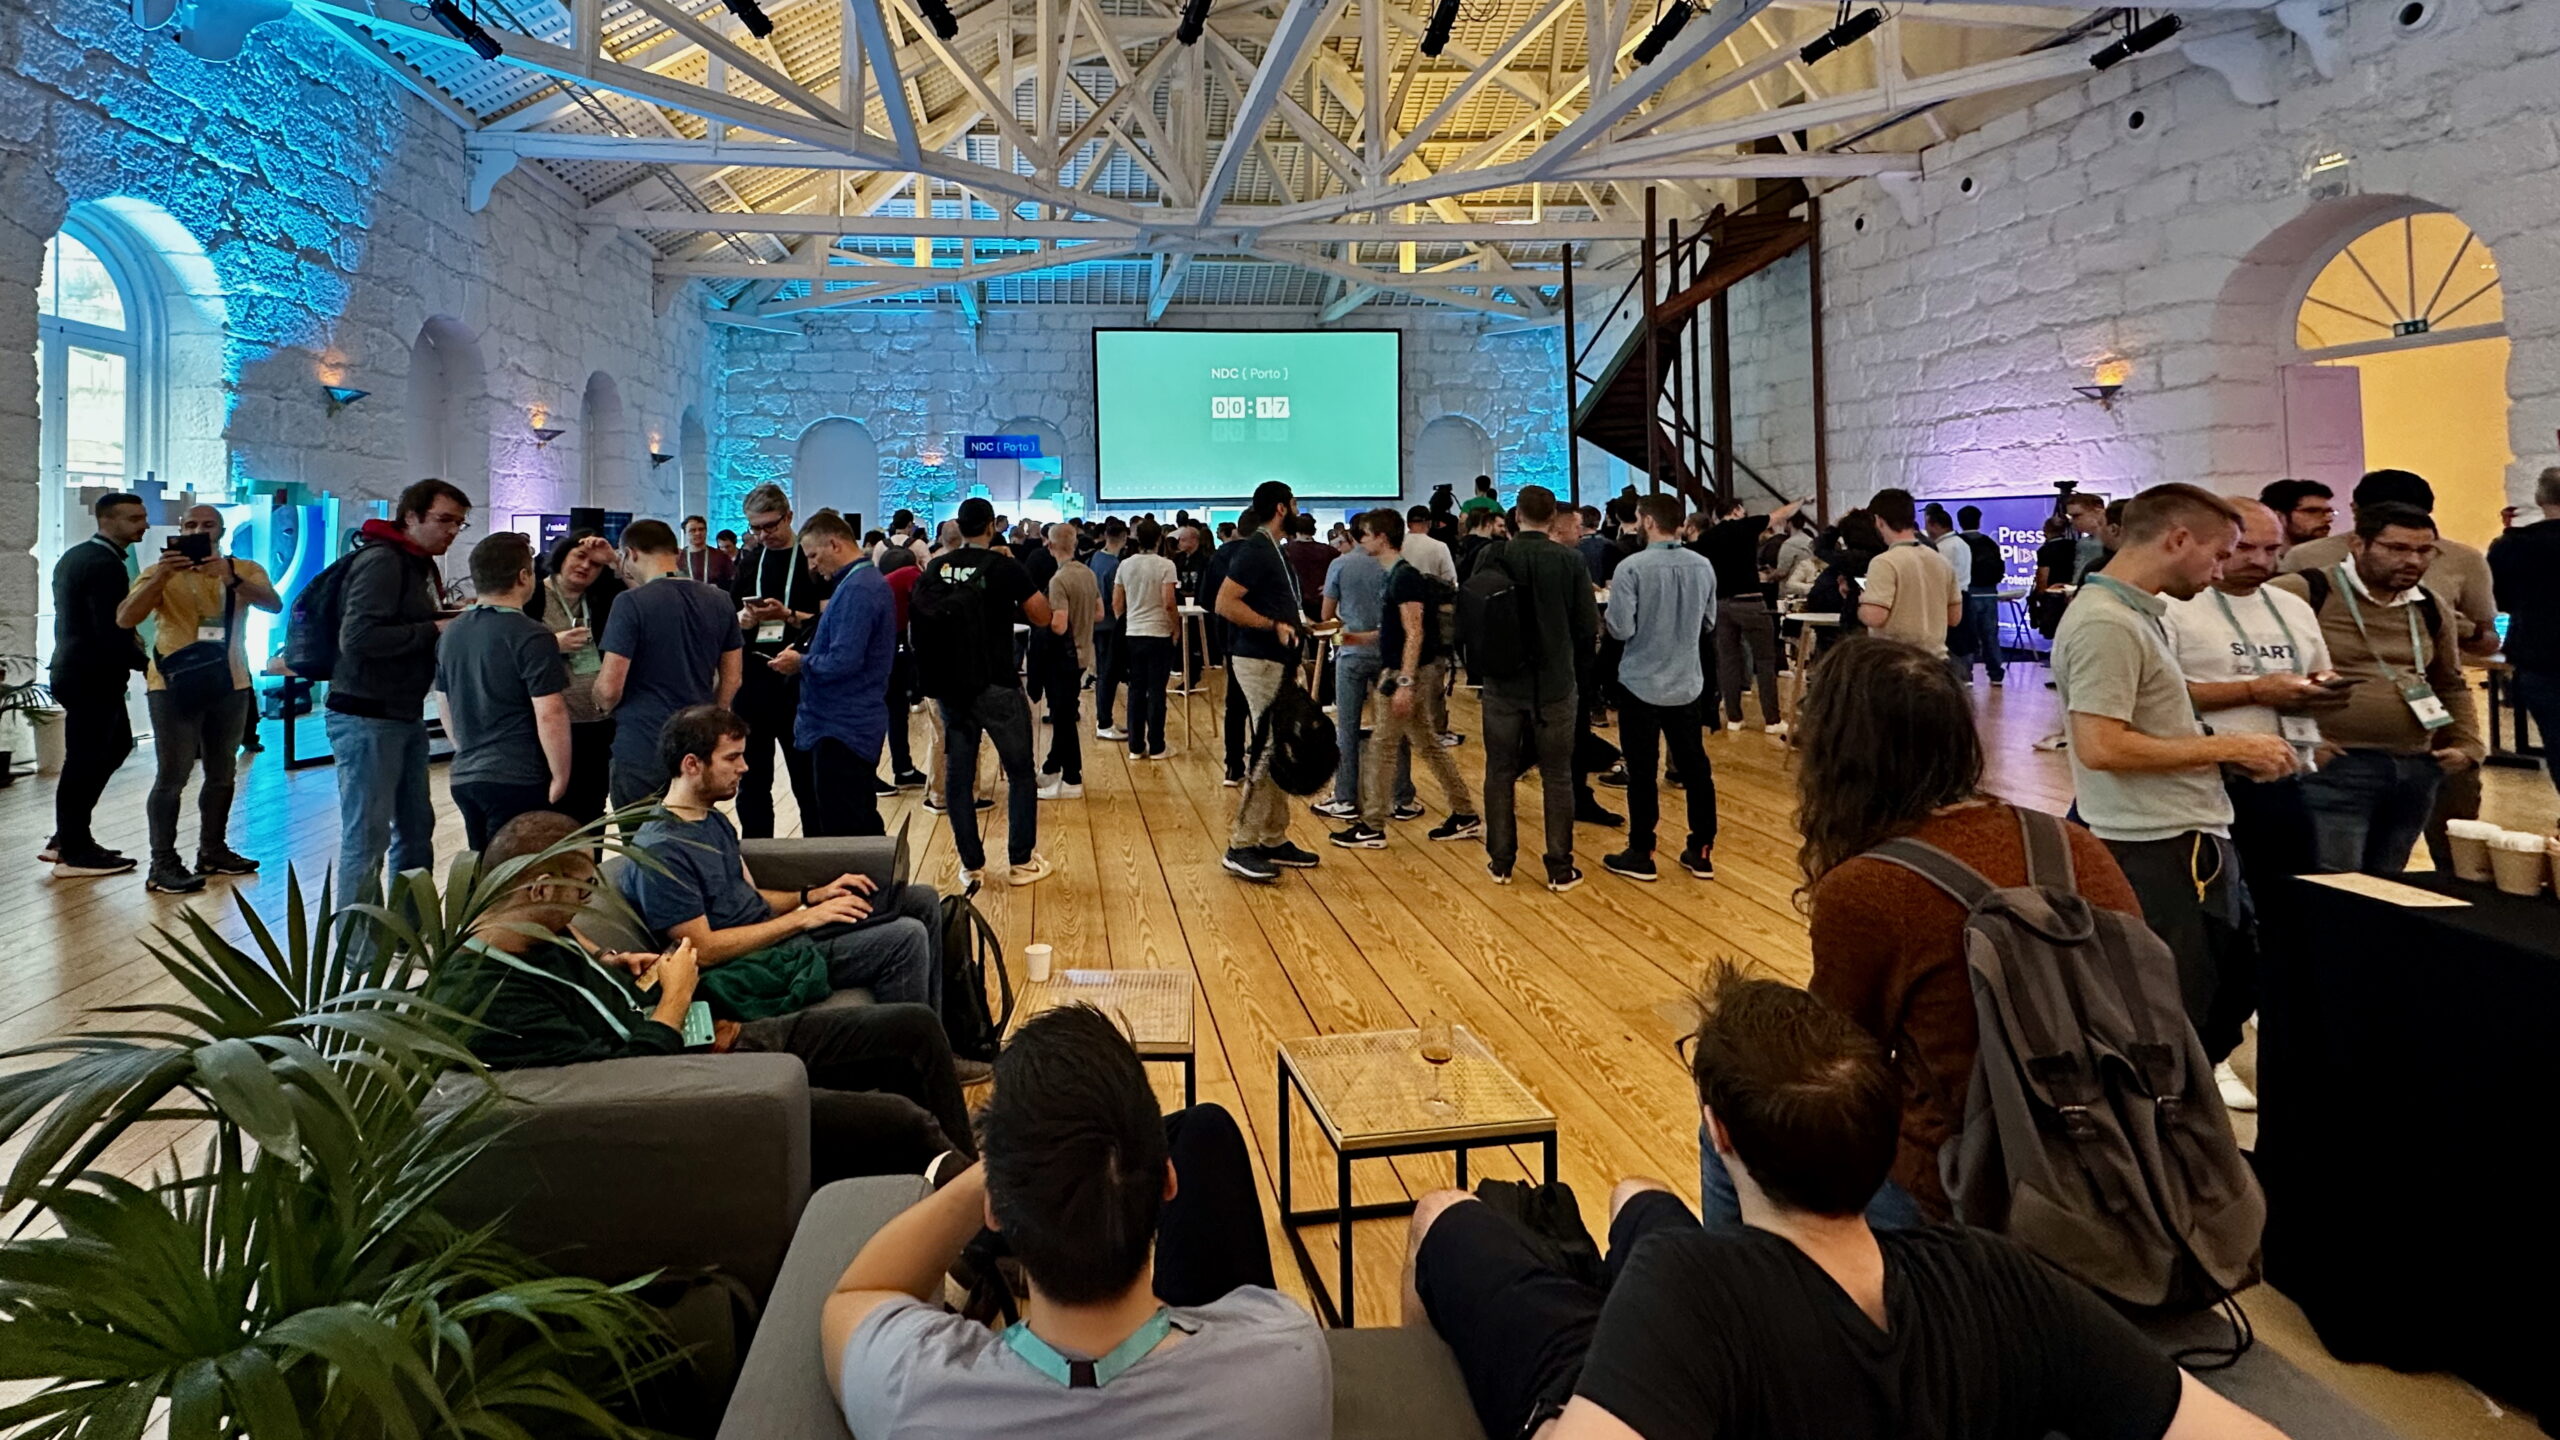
<point>2415,311</point>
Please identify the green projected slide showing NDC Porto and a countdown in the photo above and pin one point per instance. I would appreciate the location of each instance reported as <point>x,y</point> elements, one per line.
<point>1215,414</point>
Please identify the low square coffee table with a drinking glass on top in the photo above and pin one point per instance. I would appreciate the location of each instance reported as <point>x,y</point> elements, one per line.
<point>1371,1095</point>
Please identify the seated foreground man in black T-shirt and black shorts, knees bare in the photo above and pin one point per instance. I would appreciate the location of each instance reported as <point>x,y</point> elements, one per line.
<point>1804,1323</point>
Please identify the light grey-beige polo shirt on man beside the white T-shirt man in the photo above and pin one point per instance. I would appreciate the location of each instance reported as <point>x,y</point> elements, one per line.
<point>2113,660</point>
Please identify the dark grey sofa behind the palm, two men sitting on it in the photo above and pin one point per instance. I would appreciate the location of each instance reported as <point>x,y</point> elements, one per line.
<point>682,1165</point>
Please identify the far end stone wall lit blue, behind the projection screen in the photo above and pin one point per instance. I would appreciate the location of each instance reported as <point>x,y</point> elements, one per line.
<point>920,375</point>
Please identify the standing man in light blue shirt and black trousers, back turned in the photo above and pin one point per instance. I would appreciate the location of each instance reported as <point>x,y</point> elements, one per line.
<point>1660,601</point>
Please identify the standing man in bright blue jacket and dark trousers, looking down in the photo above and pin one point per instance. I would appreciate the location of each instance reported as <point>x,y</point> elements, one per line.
<point>844,714</point>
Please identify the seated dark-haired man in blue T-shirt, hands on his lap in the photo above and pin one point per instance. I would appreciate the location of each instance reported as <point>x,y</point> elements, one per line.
<point>700,890</point>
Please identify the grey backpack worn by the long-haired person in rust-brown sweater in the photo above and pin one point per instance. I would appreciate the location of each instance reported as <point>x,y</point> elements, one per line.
<point>2093,1126</point>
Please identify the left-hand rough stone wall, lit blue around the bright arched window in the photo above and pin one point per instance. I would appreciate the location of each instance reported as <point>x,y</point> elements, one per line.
<point>329,206</point>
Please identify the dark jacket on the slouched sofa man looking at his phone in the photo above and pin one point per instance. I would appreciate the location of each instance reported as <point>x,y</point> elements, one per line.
<point>557,1011</point>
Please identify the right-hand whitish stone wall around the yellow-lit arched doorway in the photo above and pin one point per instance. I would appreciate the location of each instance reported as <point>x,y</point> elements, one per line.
<point>2177,250</point>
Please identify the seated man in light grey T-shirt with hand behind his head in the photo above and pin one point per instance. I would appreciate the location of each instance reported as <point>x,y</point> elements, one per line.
<point>1153,1311</point>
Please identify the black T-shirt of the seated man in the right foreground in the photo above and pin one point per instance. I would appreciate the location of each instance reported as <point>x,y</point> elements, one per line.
<point>1737,1334</point>
